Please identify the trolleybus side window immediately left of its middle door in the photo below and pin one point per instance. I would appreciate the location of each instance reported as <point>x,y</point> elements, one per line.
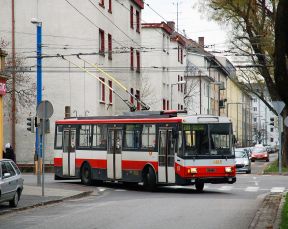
<point>99,136</point>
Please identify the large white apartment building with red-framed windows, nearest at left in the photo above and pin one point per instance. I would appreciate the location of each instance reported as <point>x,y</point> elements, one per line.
<point>106,32</point>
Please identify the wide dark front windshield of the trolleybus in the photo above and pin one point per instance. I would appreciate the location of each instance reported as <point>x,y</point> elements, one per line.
<point>207,139</point>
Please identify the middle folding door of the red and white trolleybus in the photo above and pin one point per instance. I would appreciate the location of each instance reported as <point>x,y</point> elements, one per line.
<point>114,154</point>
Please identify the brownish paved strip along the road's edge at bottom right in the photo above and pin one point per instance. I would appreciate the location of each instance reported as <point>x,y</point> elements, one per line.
<point>269,213</point>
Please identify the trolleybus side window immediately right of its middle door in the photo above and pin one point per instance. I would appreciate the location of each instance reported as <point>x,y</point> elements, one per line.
<point>132,136</point>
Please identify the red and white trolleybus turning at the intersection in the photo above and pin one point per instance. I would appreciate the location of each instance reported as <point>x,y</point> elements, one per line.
<point>155,148</point>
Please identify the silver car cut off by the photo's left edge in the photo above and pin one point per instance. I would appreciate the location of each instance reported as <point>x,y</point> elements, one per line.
<point>11,182</point>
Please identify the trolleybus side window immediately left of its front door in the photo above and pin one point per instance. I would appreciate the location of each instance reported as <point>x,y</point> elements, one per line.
<point>148,136</point>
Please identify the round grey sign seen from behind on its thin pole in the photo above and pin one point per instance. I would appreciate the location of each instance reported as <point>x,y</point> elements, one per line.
<point>44,112</point>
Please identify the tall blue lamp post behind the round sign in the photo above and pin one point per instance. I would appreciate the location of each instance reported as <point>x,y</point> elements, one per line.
<point>38,142</point>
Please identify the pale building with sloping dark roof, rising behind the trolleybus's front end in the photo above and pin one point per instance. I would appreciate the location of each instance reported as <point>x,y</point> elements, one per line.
<point>206,81</point>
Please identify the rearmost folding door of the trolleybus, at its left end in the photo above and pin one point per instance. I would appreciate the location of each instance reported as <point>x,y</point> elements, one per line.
<point>69,154</point>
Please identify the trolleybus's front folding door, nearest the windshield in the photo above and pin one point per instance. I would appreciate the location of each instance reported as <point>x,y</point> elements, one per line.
<point>166,169</point>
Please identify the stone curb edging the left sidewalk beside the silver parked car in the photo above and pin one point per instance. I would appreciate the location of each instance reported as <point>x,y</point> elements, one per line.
<point>48,202</point>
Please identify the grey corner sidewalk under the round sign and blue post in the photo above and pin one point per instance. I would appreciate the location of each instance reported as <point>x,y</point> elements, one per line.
<point>54,193</point>
